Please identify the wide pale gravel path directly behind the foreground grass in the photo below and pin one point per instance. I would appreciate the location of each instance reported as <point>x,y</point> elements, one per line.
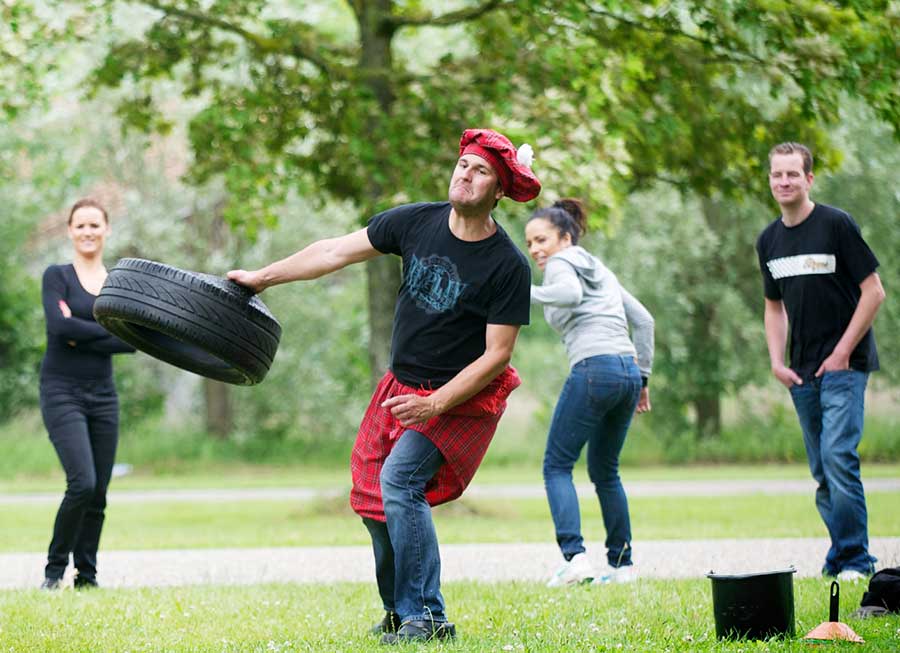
<point>484,562</point>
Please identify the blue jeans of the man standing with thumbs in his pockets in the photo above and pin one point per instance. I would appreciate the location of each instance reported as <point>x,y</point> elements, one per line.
<point>830,409</point>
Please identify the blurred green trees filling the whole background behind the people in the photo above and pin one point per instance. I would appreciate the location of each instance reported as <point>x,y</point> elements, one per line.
<point>225,133</point>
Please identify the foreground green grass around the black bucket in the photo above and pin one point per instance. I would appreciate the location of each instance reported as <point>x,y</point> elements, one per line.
<point>646,616</point>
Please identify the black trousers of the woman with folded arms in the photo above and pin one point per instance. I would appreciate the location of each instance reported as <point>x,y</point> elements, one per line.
<point>82,418</point>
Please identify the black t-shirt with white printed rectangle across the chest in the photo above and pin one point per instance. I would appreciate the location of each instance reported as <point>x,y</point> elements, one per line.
<point>815,268</point>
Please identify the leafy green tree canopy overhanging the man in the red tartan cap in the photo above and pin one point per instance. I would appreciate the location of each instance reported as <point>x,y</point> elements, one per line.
<point>615,95</point>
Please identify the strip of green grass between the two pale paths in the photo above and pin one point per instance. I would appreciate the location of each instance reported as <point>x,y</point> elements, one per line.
<point>323,522</point>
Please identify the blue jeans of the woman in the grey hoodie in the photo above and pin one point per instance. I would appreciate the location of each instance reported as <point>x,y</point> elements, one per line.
<point>595,408</point>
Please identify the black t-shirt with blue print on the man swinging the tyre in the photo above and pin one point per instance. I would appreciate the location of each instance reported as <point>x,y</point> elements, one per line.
<point>452,289</point>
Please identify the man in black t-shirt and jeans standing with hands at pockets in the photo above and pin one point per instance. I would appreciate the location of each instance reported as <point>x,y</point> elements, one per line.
<point>820,282</point>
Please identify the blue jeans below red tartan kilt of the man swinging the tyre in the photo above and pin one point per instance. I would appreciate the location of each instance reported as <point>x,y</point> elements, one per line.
<point>407,560</point>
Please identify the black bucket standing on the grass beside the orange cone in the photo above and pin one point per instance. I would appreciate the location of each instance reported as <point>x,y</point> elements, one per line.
<point>754,606</point>
